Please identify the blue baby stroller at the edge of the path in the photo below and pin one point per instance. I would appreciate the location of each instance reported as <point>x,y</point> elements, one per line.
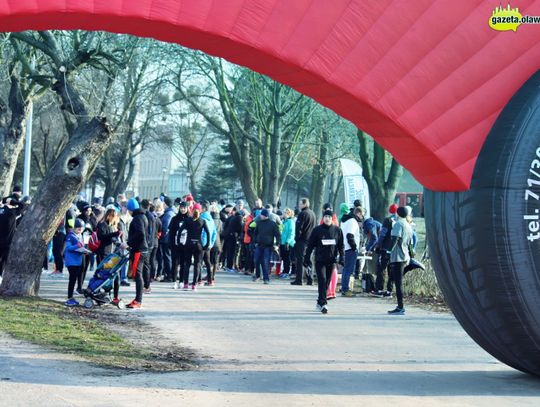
<point>101,284</point>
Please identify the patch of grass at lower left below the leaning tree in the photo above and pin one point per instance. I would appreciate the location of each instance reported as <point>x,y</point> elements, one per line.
<point>86,335</point>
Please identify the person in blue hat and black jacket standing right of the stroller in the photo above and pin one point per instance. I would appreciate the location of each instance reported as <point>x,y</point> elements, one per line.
<point>138,245</point>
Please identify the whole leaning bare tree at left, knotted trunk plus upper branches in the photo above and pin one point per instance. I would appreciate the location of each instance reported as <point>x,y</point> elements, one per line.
<point>89,135</point>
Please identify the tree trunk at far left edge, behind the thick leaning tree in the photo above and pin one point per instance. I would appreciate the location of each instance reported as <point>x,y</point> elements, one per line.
<point>12,139</point>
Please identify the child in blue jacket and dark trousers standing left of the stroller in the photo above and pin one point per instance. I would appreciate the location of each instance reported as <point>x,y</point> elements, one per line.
<point>73,258</point>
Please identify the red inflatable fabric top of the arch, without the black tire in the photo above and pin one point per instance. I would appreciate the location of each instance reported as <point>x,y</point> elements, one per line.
<point>426,78</point>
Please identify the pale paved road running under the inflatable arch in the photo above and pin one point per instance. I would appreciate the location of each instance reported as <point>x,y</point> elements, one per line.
<point>267,345</point>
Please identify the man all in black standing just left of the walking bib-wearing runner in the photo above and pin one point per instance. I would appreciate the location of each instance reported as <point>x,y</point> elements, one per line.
<point>305,222</point>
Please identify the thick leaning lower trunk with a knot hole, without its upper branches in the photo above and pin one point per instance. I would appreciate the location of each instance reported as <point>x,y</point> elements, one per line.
<point>55,194</point>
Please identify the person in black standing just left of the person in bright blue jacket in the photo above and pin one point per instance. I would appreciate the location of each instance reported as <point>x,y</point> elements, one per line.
<point>177,243</point>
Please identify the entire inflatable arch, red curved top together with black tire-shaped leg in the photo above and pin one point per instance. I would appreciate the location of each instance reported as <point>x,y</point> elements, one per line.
<point>453,99</point>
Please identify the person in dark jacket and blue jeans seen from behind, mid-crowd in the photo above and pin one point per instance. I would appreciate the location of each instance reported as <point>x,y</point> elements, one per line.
<point>266,236</point>
